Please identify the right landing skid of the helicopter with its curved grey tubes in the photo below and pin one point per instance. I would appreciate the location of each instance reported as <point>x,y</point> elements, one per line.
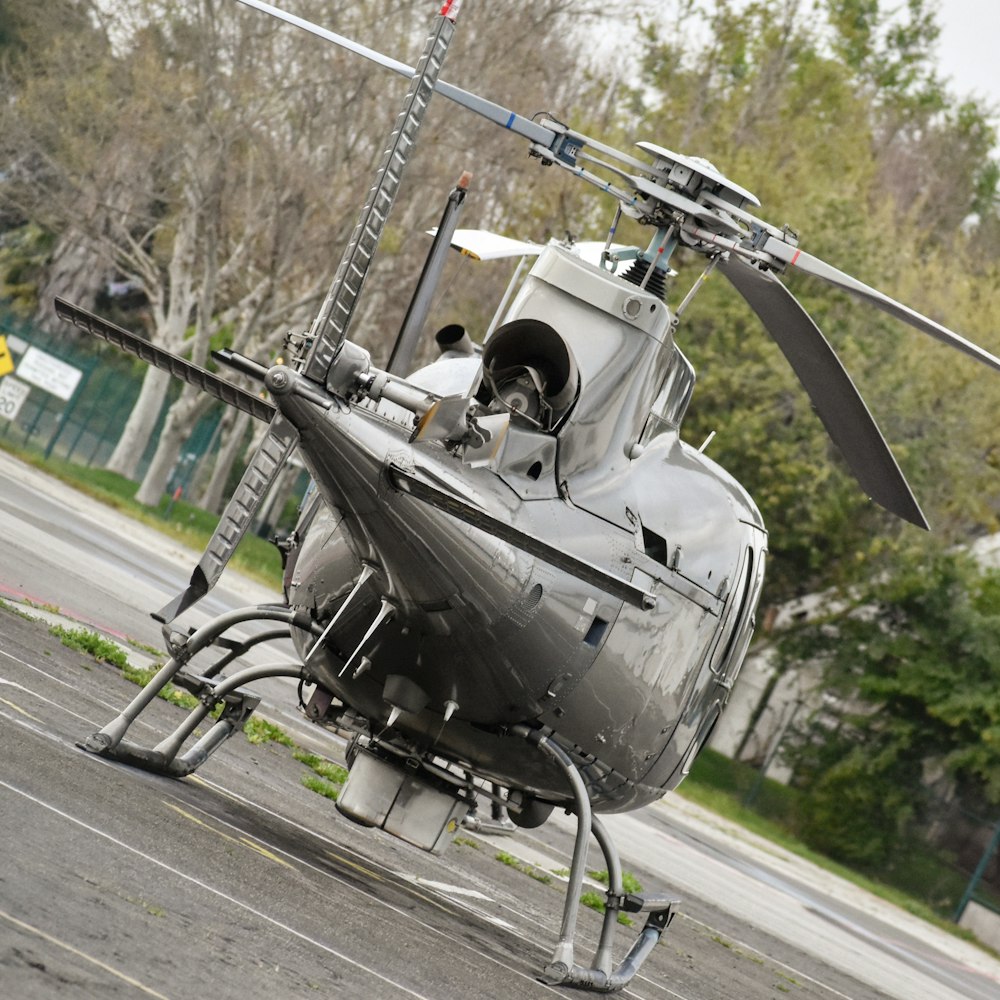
<point>660,907</point>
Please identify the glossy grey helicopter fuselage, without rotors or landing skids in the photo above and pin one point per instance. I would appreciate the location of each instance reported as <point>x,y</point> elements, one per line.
<point>478,634</point>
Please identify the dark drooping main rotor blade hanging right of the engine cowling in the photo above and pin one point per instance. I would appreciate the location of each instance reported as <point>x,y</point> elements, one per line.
<point>834,396</point>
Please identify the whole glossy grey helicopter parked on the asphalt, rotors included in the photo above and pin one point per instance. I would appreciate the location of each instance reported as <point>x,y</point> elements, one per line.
<point>510,578</point>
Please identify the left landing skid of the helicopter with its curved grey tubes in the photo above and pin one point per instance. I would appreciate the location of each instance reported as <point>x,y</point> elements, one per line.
<point>238,705</point>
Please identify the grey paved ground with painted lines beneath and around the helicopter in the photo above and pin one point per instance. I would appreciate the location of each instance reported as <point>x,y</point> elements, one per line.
<point>239,881</point>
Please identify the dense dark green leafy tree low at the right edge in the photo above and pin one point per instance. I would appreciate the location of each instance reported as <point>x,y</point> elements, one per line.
<point>910,670</point>
